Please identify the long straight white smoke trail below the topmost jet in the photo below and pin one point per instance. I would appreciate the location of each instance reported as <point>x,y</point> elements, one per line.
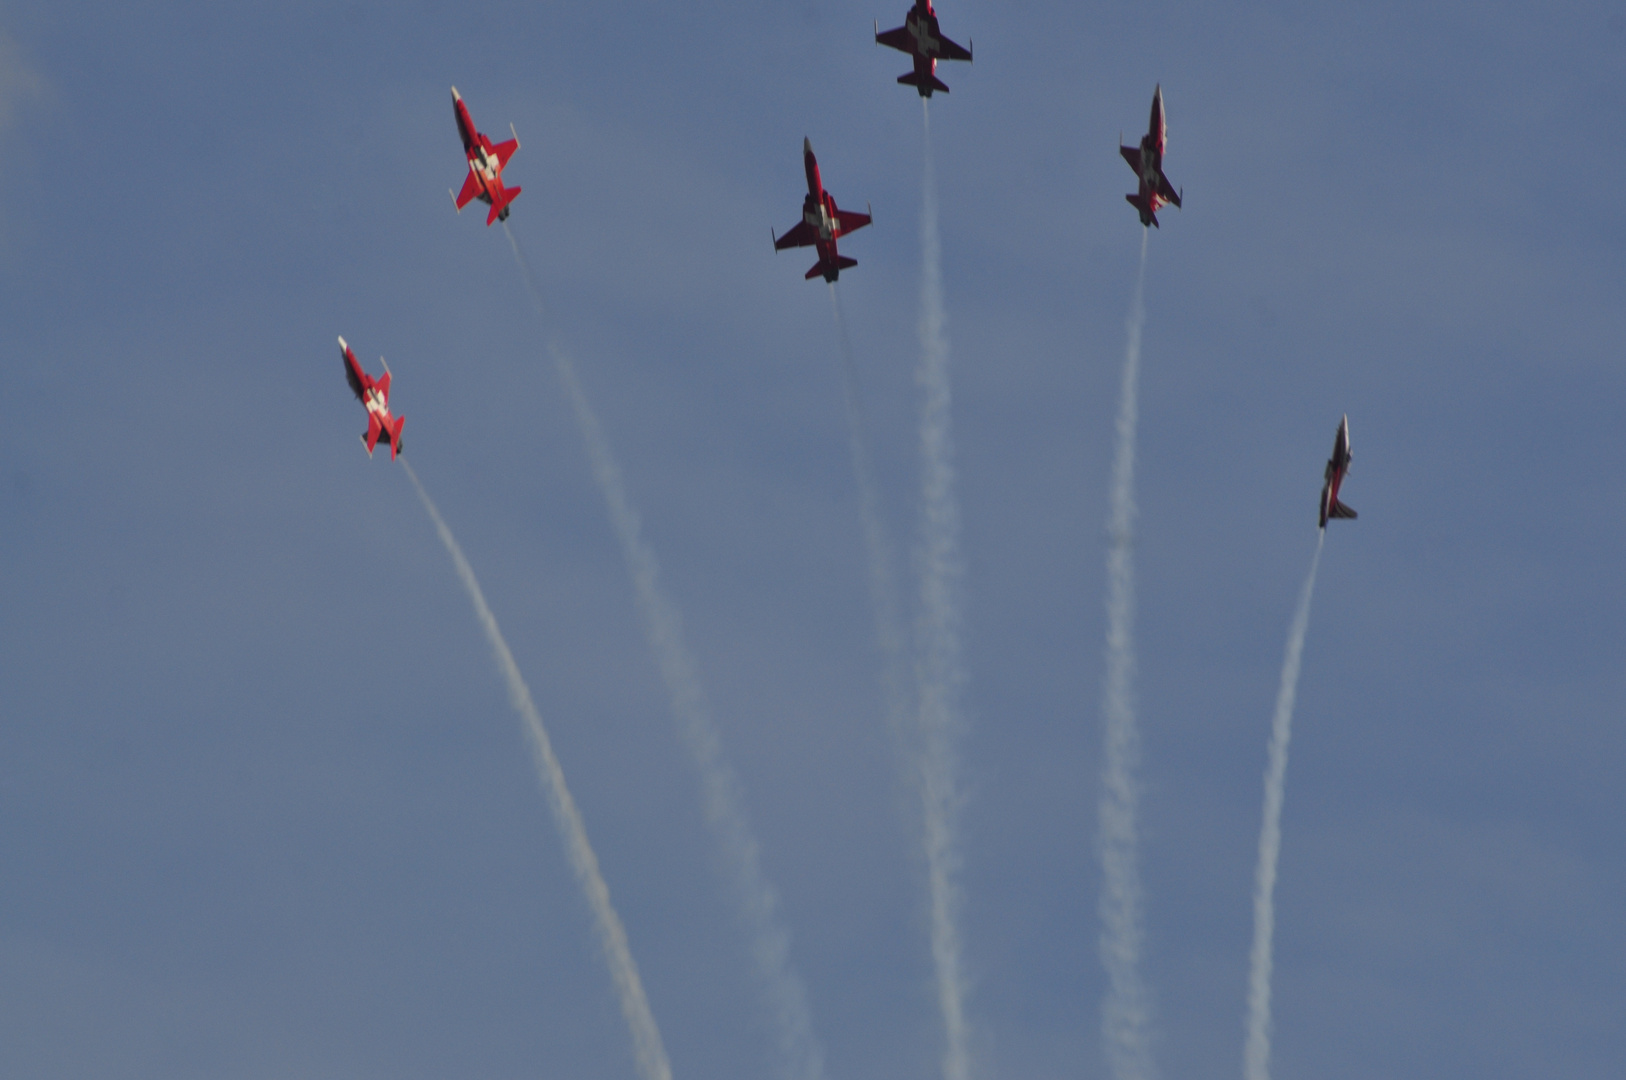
<point>939,666</point>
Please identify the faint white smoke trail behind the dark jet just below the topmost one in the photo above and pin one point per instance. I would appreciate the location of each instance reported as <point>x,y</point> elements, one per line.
<point>879,546</point>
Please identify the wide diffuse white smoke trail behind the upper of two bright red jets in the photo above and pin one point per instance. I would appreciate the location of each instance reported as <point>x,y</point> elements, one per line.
<point>721,795</point>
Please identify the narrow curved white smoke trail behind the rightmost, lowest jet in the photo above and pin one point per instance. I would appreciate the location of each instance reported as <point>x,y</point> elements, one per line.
<point>1256,1053</point>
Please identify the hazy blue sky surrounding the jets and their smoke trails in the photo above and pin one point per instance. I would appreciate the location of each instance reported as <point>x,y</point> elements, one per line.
<point>264,808</point>
